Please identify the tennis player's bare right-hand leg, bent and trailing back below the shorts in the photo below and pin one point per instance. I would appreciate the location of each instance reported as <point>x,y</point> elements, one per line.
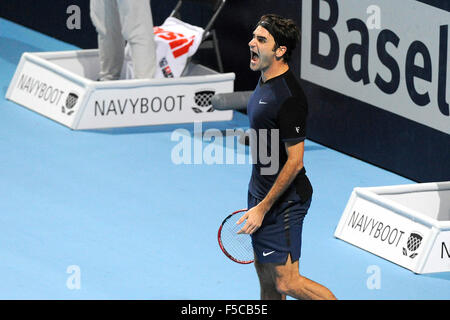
<point>288,281</point>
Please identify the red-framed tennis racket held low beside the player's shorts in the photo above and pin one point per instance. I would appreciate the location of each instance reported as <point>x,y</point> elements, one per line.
<point>237,247</point>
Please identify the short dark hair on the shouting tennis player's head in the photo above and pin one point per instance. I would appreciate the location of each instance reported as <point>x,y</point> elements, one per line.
<point>283,30</point>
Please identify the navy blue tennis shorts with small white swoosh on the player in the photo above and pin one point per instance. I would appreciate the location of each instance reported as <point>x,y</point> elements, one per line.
<point>281,231</point>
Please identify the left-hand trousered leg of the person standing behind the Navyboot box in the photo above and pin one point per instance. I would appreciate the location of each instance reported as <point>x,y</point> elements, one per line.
<point>111,44</point>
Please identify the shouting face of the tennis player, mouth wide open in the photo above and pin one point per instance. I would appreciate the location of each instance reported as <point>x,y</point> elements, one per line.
<point>261,50</point>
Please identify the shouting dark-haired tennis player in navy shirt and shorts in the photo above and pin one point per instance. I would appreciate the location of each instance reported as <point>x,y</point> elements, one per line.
<point>278,202</point>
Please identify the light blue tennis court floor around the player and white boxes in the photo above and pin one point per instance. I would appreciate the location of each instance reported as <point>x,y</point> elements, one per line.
<point>111,207</point>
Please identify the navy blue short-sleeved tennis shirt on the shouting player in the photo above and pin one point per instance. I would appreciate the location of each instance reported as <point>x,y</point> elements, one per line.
<point>277,107</point>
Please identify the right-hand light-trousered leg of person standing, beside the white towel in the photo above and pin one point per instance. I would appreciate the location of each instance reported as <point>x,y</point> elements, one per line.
<point>137,28</point>
